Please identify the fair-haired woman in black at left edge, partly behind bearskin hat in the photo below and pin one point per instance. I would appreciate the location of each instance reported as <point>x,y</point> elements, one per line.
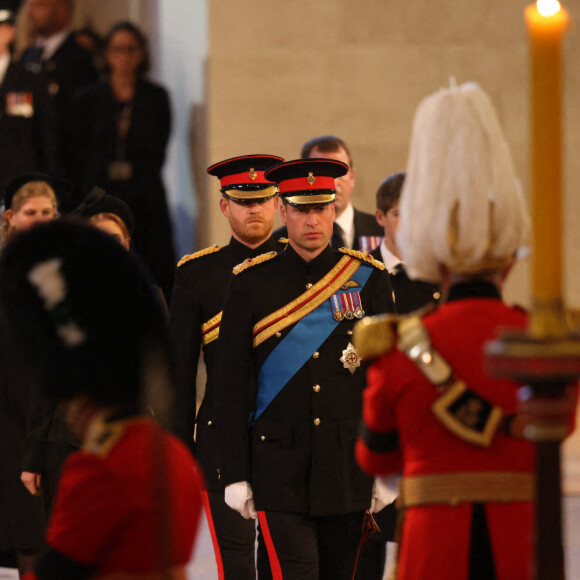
<point>29,200</point>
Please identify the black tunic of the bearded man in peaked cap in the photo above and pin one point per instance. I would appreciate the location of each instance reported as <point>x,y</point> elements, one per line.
<point>198,295</point>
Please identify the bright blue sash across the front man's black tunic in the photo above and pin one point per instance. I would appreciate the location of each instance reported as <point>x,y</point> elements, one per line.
<point>297,347</point>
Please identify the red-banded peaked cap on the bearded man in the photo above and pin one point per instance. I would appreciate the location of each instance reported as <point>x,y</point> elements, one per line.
<point>242,178</point>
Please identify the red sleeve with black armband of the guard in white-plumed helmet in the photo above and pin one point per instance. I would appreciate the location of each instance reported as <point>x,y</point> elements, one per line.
<point>377,449</point>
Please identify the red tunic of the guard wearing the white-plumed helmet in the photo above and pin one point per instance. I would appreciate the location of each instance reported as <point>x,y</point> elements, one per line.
<point>397,412</point>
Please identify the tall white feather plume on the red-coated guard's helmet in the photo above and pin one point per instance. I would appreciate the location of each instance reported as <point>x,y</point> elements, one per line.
<point>461,204</point>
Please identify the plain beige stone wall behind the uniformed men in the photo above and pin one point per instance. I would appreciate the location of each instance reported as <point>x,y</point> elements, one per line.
<point>281,72</point>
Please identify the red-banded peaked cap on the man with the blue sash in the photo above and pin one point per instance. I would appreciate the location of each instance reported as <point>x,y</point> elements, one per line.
<point>307,181</point>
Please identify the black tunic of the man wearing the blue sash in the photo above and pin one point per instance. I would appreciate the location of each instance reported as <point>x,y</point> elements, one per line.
<point>293,464</point>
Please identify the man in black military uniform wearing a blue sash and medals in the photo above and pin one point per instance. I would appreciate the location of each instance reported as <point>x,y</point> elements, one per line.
<point>289,383</point>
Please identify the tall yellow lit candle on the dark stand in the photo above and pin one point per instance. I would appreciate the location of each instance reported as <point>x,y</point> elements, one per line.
<point>546,23</point>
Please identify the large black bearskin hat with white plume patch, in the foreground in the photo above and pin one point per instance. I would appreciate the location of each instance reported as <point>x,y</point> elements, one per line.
<point>83,312</point>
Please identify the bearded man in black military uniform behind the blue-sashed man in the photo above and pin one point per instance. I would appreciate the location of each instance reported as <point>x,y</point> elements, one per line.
<point>249,202</point>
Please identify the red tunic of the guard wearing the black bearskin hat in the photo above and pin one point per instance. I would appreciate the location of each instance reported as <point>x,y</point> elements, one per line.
<point>115,517</point>
